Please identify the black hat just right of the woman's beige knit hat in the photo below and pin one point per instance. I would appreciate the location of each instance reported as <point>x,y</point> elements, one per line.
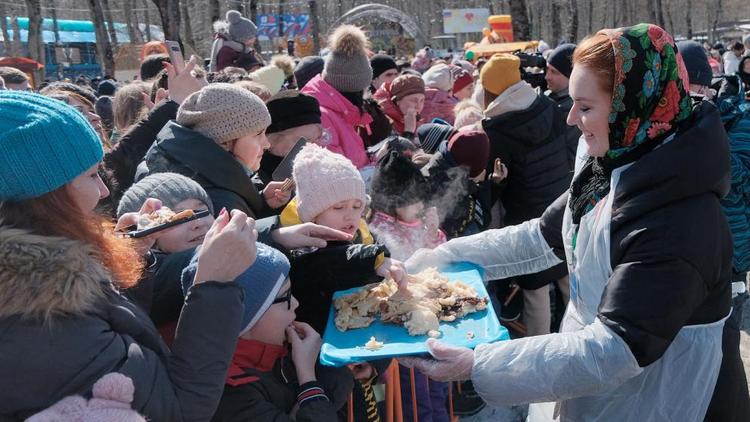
<point>290,109</point>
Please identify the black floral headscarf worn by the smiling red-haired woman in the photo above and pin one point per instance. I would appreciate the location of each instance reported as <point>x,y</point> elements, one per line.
<point>649,100</point>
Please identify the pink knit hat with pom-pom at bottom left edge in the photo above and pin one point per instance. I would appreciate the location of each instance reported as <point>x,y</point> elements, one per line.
<point>111,399</point>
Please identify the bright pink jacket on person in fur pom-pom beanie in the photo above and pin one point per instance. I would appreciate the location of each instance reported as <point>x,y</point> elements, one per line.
<point>340,117</point>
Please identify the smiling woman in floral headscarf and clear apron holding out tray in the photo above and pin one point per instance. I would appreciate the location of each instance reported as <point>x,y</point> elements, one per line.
<point>647,248</point>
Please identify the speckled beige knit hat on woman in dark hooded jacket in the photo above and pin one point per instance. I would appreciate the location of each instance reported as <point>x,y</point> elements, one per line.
<point>224,112</point>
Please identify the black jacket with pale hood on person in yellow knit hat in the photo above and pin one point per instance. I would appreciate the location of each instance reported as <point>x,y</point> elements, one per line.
<point>527,134</point>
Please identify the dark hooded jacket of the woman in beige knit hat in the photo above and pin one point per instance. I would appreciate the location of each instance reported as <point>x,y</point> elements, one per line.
<point>228,183</point>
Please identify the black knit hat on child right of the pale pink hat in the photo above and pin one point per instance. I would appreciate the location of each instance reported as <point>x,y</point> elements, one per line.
<point>396,183</point>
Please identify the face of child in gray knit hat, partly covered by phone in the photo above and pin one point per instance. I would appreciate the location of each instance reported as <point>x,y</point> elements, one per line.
<point>188,235</point>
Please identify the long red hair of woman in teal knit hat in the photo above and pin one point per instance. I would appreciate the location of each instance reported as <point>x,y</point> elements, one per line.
<point>56,214</point>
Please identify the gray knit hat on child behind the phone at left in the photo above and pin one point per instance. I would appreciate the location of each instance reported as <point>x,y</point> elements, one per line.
<point>169,188</point>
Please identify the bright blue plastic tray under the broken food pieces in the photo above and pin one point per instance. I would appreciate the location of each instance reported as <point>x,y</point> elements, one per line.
<point>343,348</point>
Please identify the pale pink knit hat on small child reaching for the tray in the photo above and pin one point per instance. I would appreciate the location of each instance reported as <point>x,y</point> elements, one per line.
<point>323,179</point>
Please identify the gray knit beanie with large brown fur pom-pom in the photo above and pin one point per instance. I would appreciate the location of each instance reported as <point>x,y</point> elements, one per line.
<point>347,67</point>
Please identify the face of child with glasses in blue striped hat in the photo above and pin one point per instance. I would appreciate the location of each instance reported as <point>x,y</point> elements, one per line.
<point>271,327</point>
